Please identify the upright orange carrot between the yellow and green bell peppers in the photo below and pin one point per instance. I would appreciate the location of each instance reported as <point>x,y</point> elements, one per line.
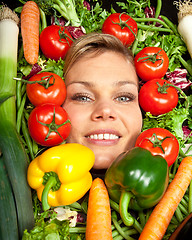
<point>99,212</point>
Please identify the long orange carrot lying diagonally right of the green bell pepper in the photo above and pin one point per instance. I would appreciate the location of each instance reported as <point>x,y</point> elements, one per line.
<point>162,214</point>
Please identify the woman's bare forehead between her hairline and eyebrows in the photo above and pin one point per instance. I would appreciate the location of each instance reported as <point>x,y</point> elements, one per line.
<point>102,67</point>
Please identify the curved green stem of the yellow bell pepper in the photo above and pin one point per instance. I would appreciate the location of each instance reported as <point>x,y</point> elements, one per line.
<point>44,198</point>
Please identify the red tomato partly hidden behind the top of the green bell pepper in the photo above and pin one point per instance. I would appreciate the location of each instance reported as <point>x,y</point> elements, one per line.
<point>159,141</point>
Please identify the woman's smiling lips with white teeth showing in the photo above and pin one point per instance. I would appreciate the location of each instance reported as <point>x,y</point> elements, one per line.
<point>103,137</point>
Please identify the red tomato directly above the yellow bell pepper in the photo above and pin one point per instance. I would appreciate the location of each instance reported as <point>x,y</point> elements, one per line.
<point>49,124</point>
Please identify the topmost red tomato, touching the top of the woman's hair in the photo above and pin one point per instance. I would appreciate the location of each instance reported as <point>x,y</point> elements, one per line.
<point>121,26</point>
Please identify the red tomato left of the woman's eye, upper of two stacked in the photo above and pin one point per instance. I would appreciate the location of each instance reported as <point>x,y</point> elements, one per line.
<point>52,89</point>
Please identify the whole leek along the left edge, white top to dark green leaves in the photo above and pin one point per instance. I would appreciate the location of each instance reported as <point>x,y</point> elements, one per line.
<point>14,156</point>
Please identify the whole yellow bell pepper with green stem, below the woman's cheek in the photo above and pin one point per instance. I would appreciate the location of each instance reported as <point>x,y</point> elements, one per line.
<point>60,175</point>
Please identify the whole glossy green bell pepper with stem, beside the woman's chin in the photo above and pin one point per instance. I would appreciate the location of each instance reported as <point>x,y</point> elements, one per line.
<point>138,180</point>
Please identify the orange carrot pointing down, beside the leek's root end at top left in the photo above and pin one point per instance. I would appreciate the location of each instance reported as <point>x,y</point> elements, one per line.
<point>30,16</point>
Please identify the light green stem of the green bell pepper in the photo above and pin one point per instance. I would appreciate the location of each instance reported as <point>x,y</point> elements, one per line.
<point>123,208</point>
